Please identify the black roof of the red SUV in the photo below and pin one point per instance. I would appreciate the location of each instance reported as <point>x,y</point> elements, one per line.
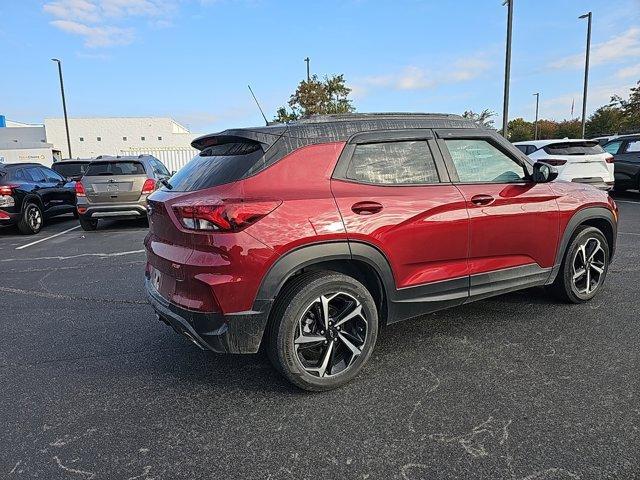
<point>333,128</point>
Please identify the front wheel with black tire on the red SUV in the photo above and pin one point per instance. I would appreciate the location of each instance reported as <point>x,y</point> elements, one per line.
<point>566,286</point>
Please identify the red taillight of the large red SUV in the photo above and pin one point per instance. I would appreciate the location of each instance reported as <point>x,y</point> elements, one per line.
<point>228,216</point>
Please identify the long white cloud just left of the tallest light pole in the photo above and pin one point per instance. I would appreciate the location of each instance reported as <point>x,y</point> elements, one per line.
<point>413,77</point>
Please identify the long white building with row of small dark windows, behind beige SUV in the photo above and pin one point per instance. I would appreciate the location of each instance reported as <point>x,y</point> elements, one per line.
<point>164,138</point>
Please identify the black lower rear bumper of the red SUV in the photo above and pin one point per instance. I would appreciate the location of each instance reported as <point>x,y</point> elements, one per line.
<point>232,333</point>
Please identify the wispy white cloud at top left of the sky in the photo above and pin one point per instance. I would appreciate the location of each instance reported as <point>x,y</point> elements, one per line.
<point>97,20</point>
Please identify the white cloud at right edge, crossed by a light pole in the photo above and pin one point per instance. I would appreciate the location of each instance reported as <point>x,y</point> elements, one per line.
<point>620,47</point>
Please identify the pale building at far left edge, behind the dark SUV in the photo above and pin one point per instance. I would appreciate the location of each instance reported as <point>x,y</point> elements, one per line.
<point>23,142</point>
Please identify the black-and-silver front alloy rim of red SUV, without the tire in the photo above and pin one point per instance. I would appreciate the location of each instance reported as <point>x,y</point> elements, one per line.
<point>589,263</point>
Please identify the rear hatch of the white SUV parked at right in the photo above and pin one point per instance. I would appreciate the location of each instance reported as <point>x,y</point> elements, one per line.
<point>582,159</point>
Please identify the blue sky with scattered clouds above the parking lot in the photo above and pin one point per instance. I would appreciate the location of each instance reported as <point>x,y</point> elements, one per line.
<point>192,59</point>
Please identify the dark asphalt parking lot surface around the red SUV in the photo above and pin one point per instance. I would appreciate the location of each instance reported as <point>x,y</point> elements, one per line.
<point>517,387</point>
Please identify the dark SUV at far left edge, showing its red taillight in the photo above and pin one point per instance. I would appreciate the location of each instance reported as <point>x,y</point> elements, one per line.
<point>30,193</point>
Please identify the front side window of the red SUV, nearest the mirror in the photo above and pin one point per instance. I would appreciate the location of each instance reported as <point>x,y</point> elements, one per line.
<point>479,161</point>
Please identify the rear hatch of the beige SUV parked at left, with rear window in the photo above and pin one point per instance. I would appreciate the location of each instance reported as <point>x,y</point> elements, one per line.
<point>114,181</point>
